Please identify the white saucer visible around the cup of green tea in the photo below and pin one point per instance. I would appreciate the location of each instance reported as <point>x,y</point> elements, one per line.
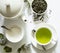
<point>53,42</point>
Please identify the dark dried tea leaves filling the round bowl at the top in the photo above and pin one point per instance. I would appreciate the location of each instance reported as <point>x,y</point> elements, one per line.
<point>39,6</point>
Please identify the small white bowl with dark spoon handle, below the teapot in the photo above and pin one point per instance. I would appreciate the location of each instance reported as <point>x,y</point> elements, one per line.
<point>14,35</point>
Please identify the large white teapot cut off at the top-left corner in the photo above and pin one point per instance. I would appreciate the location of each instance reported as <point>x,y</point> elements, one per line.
<point>11,8</point>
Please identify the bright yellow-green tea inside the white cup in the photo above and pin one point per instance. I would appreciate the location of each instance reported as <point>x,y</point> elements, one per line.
<point>43,35</point>
